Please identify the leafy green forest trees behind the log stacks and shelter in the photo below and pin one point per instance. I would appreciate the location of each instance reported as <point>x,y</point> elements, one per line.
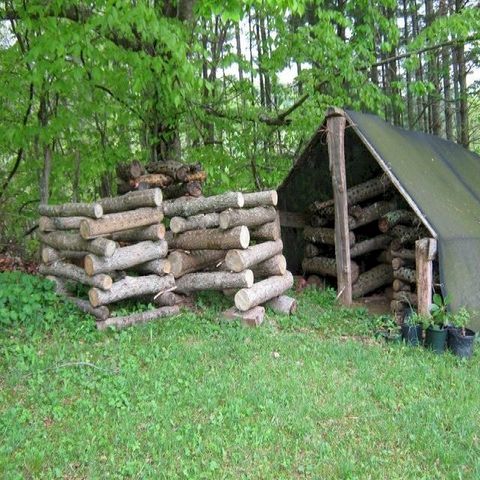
<point>238,86</point>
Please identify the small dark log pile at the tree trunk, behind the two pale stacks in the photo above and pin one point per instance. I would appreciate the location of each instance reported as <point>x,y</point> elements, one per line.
<point>174,178</point>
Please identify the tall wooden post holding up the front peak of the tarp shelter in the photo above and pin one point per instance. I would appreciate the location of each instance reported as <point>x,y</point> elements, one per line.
<point>336,155</point>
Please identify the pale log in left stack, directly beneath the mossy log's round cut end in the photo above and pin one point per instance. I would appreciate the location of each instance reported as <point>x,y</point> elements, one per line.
<point>126,257</point>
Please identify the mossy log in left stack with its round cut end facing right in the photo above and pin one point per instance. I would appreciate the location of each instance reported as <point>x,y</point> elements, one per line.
<point>74,242</point>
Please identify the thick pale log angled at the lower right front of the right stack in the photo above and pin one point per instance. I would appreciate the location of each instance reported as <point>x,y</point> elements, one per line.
<point>260,292</point>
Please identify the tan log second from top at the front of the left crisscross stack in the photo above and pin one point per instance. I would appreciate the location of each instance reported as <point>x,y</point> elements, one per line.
<point>118,222</point>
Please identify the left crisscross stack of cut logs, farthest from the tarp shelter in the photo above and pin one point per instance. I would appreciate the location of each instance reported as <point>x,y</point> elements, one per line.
<point>115,246</point>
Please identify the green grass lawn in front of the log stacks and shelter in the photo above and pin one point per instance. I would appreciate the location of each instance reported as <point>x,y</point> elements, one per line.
<point>311,396</point>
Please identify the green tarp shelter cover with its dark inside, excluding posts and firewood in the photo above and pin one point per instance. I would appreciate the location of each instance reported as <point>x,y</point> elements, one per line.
<point>440,180</point>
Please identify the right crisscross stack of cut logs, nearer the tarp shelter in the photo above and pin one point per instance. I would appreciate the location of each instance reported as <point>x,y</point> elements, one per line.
<point>231,243</point>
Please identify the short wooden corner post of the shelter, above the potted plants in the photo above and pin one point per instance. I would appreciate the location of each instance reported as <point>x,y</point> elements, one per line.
<point>425,253</point>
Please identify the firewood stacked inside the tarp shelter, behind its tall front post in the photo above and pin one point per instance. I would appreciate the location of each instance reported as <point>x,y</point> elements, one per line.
<point>381,229</point>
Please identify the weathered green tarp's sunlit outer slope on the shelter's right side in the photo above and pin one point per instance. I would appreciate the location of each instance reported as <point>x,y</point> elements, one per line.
<point>443,181</point>
